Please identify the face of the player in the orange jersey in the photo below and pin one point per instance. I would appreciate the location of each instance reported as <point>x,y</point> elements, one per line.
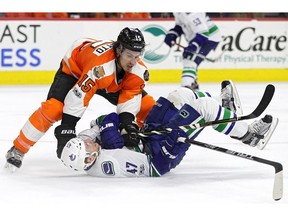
<point>128,59</point>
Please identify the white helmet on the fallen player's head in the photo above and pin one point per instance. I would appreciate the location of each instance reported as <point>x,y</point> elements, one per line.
<point>74,155</point>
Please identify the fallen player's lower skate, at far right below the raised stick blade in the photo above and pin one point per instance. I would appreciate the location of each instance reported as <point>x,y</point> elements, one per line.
<point>260,132</point>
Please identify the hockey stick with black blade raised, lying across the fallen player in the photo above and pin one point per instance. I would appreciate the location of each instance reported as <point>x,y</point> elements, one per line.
<point>266,99</point>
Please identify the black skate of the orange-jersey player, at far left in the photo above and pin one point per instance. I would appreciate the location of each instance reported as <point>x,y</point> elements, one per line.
<point>14,159</point>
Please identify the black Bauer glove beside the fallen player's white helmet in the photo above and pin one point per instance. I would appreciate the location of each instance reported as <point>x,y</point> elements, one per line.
<point>63,134</point>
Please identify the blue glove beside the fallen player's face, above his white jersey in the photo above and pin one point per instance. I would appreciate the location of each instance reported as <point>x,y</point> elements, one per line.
<point>110,135</point>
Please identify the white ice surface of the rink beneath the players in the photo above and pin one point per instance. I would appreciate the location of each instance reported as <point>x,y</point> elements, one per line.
<point>205,182</point>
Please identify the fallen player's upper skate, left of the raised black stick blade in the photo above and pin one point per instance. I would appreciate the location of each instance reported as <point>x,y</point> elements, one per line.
<point>230,97</point>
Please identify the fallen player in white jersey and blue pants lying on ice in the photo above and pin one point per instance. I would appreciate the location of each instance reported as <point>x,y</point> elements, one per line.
<point>102,152</point>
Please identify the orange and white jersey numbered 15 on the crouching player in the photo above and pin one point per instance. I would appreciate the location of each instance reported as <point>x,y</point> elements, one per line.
<point>92,62</point>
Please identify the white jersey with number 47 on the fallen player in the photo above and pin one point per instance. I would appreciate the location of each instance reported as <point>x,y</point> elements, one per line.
<point>120,163</point>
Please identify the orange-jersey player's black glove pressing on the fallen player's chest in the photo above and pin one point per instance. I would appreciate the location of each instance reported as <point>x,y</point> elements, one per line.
<point>129,133</point>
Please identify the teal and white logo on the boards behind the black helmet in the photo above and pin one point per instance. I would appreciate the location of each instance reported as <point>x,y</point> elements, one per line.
<point>156,50</point>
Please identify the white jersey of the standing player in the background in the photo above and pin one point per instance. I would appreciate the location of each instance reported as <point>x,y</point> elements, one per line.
<point>200,23</point>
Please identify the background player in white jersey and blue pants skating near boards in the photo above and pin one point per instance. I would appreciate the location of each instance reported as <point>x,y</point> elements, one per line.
<point>202,36</point>
